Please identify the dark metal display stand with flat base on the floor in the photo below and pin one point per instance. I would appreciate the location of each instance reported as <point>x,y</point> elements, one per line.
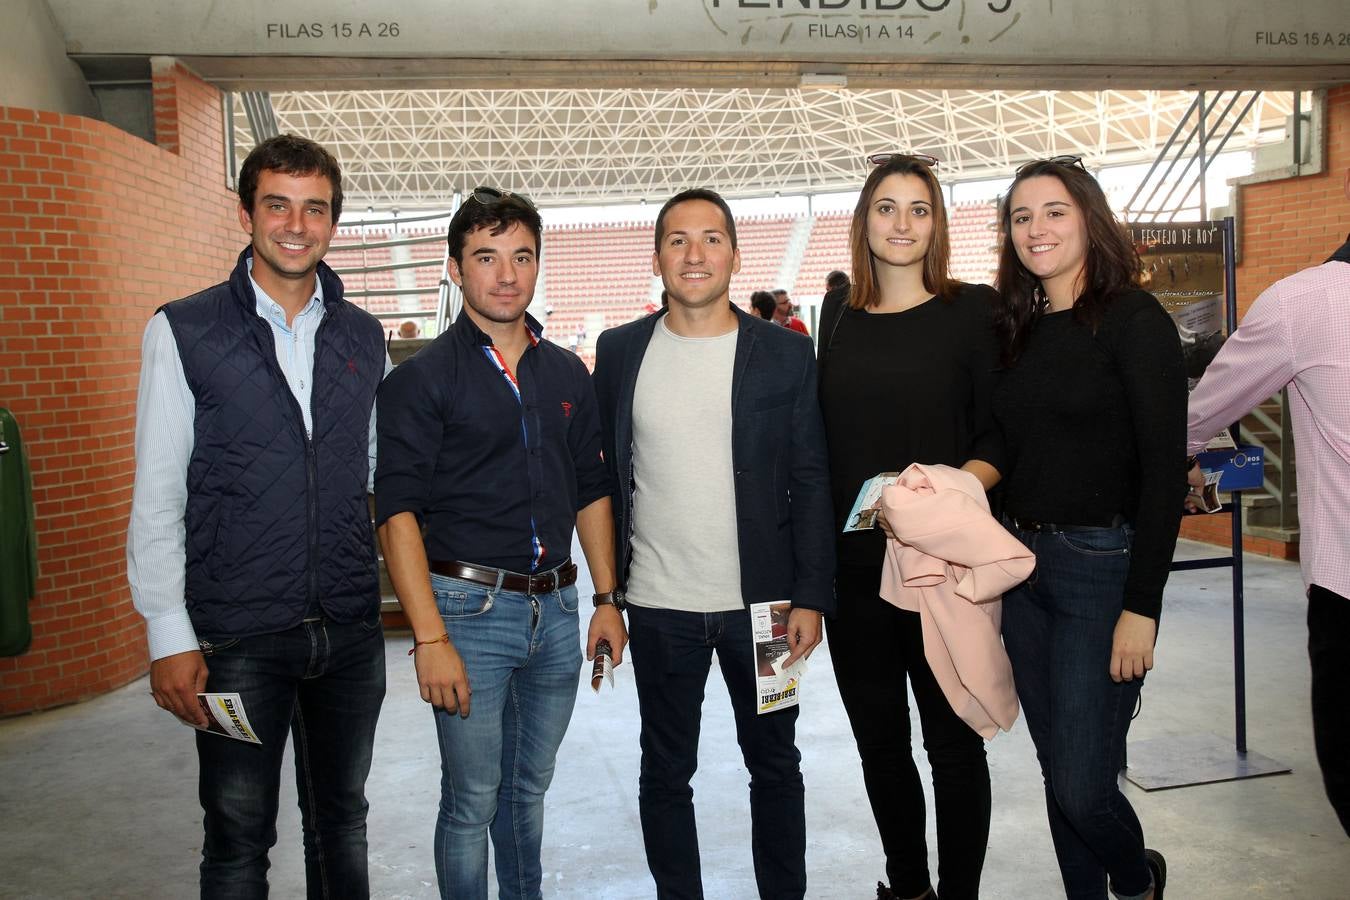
<point>1205,759</point>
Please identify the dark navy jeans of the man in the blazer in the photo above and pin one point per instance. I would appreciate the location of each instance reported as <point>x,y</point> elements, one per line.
<point>673,654</point>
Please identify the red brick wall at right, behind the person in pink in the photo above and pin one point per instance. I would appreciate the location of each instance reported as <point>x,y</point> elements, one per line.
<point>1287,226</point>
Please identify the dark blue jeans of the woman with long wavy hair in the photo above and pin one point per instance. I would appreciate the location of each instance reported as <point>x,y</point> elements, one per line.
<point>1058,628</point>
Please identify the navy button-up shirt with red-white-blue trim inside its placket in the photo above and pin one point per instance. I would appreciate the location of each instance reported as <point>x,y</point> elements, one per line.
<point>493,463</point>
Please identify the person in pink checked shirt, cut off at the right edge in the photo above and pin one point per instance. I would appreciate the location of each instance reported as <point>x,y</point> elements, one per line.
<point>1298,335</point>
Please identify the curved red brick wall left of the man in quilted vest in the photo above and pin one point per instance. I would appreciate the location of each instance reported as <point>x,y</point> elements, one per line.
<point>98,229</point>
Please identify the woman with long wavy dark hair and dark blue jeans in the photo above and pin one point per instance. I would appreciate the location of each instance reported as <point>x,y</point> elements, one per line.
<point>1093,410</point>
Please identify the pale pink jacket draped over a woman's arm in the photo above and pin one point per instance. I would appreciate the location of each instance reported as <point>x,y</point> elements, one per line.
<point>951,563</point>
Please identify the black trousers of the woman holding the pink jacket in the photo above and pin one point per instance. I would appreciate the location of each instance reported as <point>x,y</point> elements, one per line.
<point>875,650</point>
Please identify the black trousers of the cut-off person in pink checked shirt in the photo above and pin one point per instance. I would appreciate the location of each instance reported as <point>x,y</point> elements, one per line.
<point>1329,650</point>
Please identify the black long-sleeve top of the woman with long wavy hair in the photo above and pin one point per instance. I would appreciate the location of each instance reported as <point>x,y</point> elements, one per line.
<point>1096,428</point>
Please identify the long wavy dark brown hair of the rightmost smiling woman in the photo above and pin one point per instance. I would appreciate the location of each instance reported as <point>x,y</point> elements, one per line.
<point>1110,268</point>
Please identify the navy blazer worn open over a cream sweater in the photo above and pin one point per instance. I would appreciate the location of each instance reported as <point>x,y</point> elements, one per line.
<point>784,513</point>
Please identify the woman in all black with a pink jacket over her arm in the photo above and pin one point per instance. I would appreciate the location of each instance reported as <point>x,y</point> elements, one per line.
<point>907,361</point>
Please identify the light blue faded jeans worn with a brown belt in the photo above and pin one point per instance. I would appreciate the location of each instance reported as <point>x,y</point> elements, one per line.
<point>523,656</point>
